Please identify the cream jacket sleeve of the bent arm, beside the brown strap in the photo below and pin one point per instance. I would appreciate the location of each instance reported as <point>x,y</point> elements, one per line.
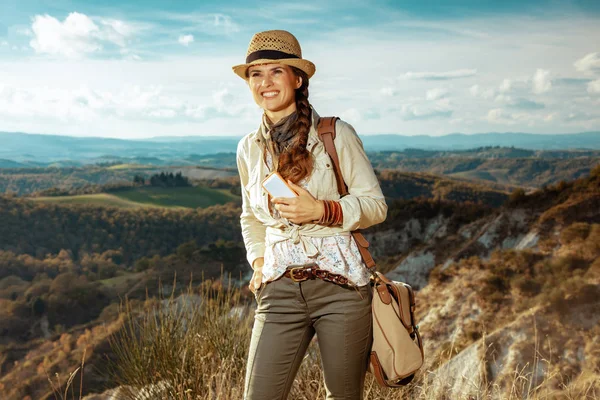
<point>365,204</point>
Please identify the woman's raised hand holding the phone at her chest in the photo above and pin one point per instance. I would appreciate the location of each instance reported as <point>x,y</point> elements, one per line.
<point>301,209</point>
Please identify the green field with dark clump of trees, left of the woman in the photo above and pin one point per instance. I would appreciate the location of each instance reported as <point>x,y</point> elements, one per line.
<point>183,197</point>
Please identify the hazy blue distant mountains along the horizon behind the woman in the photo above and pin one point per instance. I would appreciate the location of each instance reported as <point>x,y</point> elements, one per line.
<point>45,149</point>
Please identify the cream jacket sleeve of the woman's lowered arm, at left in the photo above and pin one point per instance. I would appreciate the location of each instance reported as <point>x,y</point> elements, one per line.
<point>253,231</point>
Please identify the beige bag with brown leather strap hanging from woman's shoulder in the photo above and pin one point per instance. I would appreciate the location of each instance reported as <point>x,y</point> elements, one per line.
<point>397,351</point>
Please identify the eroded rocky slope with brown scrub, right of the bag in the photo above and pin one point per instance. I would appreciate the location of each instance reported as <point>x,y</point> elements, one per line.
<point>510,303</point>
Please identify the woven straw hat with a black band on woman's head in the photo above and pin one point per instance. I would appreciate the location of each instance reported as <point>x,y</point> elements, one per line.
<point>277,46</point>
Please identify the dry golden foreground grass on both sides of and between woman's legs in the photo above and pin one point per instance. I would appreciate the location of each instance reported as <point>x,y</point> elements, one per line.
<point>194,346</point>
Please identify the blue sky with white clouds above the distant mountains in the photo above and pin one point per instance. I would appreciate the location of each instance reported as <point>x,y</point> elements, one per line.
<point>140,69</point>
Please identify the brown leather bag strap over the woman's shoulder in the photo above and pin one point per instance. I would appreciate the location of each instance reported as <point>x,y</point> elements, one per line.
<point>326,130</point>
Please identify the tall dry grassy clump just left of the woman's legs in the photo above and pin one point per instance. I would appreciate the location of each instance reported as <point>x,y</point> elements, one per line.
<point>184,347</point>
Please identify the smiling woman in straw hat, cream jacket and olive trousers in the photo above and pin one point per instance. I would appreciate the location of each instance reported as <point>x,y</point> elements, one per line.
<point>310,232</point>
